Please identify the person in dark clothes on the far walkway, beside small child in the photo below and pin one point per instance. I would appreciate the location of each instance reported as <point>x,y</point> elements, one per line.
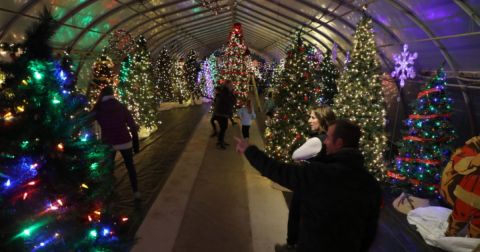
<point>222,111</point>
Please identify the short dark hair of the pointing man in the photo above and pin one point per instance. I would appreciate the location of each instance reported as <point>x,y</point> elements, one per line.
<point>348,131</point>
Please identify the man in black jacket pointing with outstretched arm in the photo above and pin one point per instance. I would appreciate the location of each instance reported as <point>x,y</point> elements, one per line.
<point>340,202</point>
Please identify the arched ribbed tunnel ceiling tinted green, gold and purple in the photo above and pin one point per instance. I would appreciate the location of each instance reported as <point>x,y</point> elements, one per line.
<point>439,30</point>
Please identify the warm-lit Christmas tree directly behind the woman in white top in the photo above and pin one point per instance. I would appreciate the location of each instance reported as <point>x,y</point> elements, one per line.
<point>294,97</point>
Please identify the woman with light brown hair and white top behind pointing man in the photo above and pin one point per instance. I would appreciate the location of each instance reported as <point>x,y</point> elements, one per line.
<point>313,148</point>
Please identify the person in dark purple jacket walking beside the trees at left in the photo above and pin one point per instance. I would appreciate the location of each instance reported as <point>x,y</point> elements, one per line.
<point>118,130</point>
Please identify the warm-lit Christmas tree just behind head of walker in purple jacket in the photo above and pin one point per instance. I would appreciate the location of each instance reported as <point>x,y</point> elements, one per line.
<point>103,75</point>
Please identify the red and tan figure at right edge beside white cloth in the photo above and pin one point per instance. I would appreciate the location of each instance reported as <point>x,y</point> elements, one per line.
<point>460,187</point>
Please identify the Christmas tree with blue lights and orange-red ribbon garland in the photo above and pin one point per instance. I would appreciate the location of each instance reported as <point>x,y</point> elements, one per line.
<point>426,147</point>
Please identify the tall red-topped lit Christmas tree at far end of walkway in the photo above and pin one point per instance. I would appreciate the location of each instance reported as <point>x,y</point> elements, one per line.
<point>234,63</point>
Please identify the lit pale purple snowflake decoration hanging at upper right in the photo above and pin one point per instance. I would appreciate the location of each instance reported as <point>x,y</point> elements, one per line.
<point>404,65</point>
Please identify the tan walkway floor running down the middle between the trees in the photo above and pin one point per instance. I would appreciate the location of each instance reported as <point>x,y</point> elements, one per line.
<point>214,201</point>
